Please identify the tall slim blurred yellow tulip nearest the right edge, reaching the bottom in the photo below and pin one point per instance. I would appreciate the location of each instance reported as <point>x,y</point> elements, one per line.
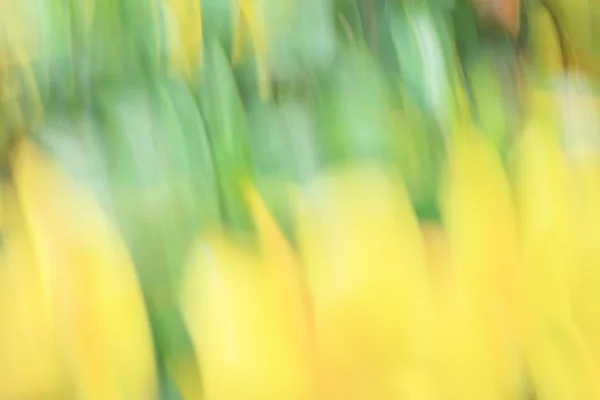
<point>560,361</point>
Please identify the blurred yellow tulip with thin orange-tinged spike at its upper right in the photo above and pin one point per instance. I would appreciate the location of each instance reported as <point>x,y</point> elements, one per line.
<point>246,312</point>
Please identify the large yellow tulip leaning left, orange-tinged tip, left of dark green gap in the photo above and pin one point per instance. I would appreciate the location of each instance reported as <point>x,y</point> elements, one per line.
<point>103,326</point>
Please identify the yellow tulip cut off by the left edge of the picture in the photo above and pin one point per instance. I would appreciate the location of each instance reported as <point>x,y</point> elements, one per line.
<point>30,362</point>
